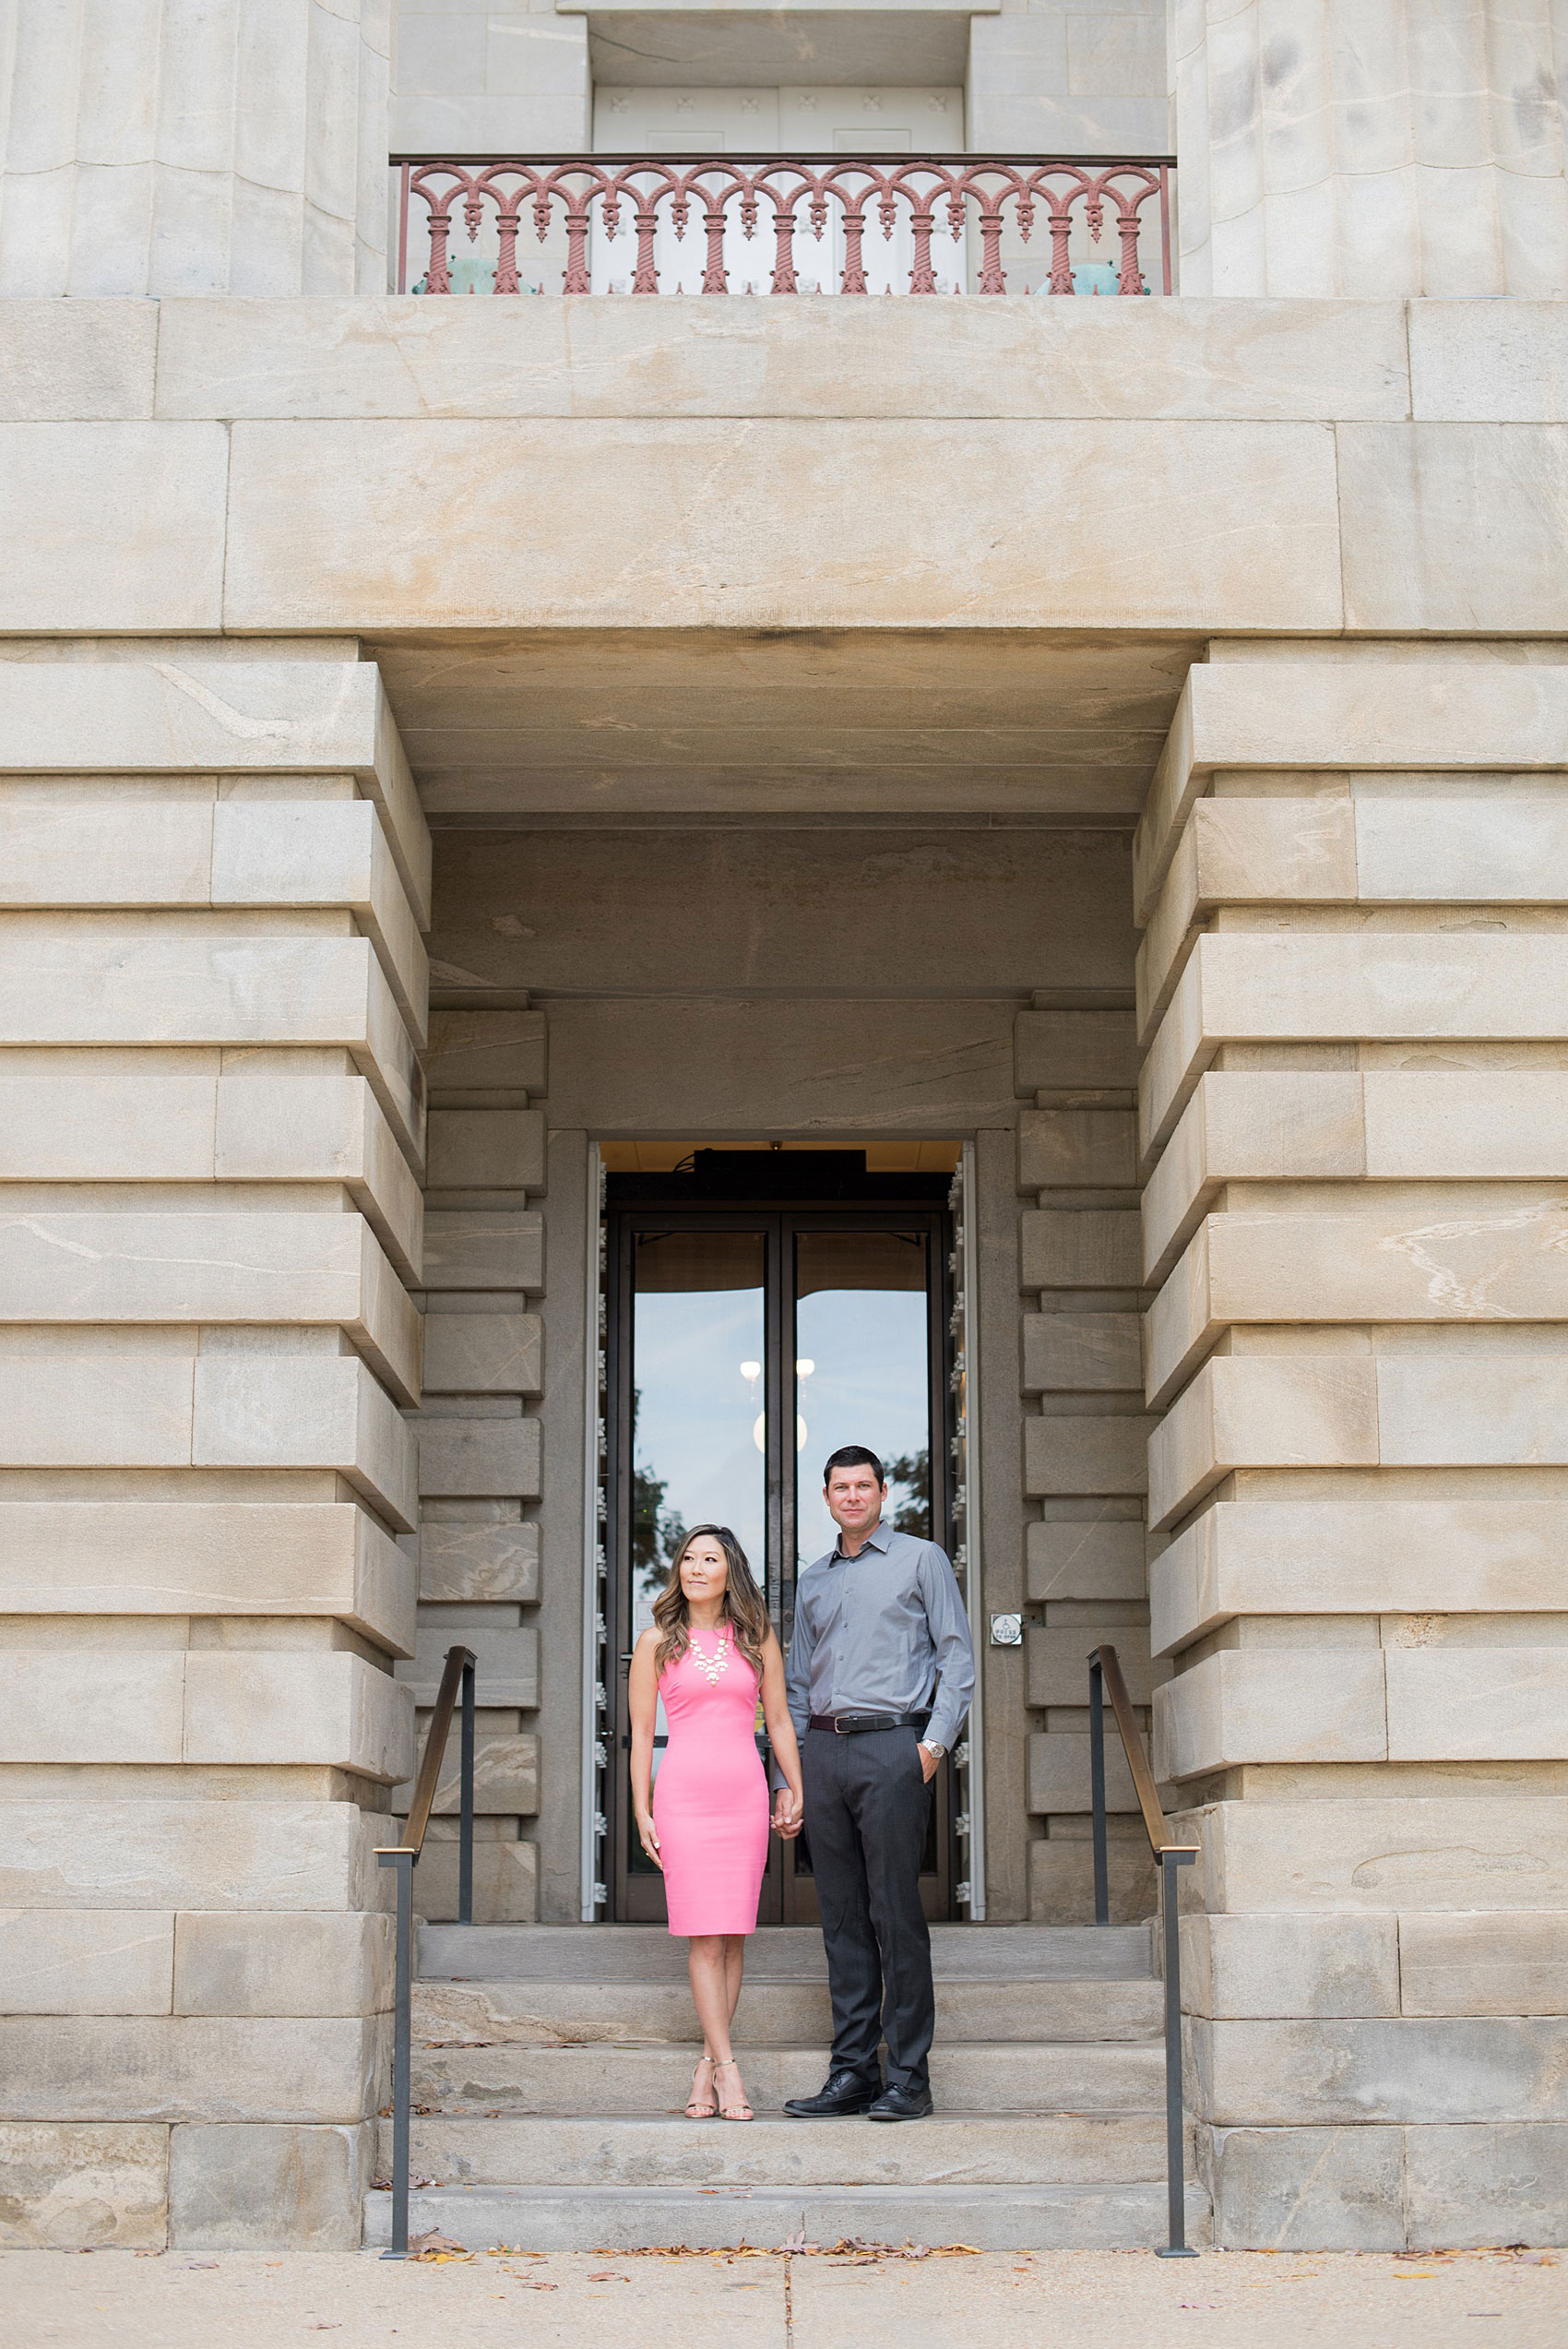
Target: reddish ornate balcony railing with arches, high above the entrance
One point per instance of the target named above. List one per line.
(766, 224)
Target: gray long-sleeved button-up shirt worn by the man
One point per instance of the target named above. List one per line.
(884, 1631)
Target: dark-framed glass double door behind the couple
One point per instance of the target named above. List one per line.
(745, 1347)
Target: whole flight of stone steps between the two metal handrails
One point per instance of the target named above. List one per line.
(550, 2068)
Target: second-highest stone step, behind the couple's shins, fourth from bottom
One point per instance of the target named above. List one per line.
(769, 2014)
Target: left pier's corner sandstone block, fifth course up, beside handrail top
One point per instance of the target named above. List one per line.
(334, 1711)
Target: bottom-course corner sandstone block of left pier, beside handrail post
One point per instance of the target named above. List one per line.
(264, 2188)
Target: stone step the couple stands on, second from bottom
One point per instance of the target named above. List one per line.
(654, 2151)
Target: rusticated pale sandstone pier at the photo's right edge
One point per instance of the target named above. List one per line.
(1353, 877)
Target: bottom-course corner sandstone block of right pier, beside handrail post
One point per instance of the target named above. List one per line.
(1309, 2188)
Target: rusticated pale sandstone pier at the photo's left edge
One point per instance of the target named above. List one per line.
(212, 985)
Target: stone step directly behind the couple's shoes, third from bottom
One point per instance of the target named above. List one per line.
(626, 2080)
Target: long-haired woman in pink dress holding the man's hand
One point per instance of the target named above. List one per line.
(710, 1653)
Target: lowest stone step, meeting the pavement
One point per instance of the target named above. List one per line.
(635, 2219)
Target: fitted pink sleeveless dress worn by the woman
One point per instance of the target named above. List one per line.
(710, 1796)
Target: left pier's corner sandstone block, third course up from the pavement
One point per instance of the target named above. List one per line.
(283, 1963)
